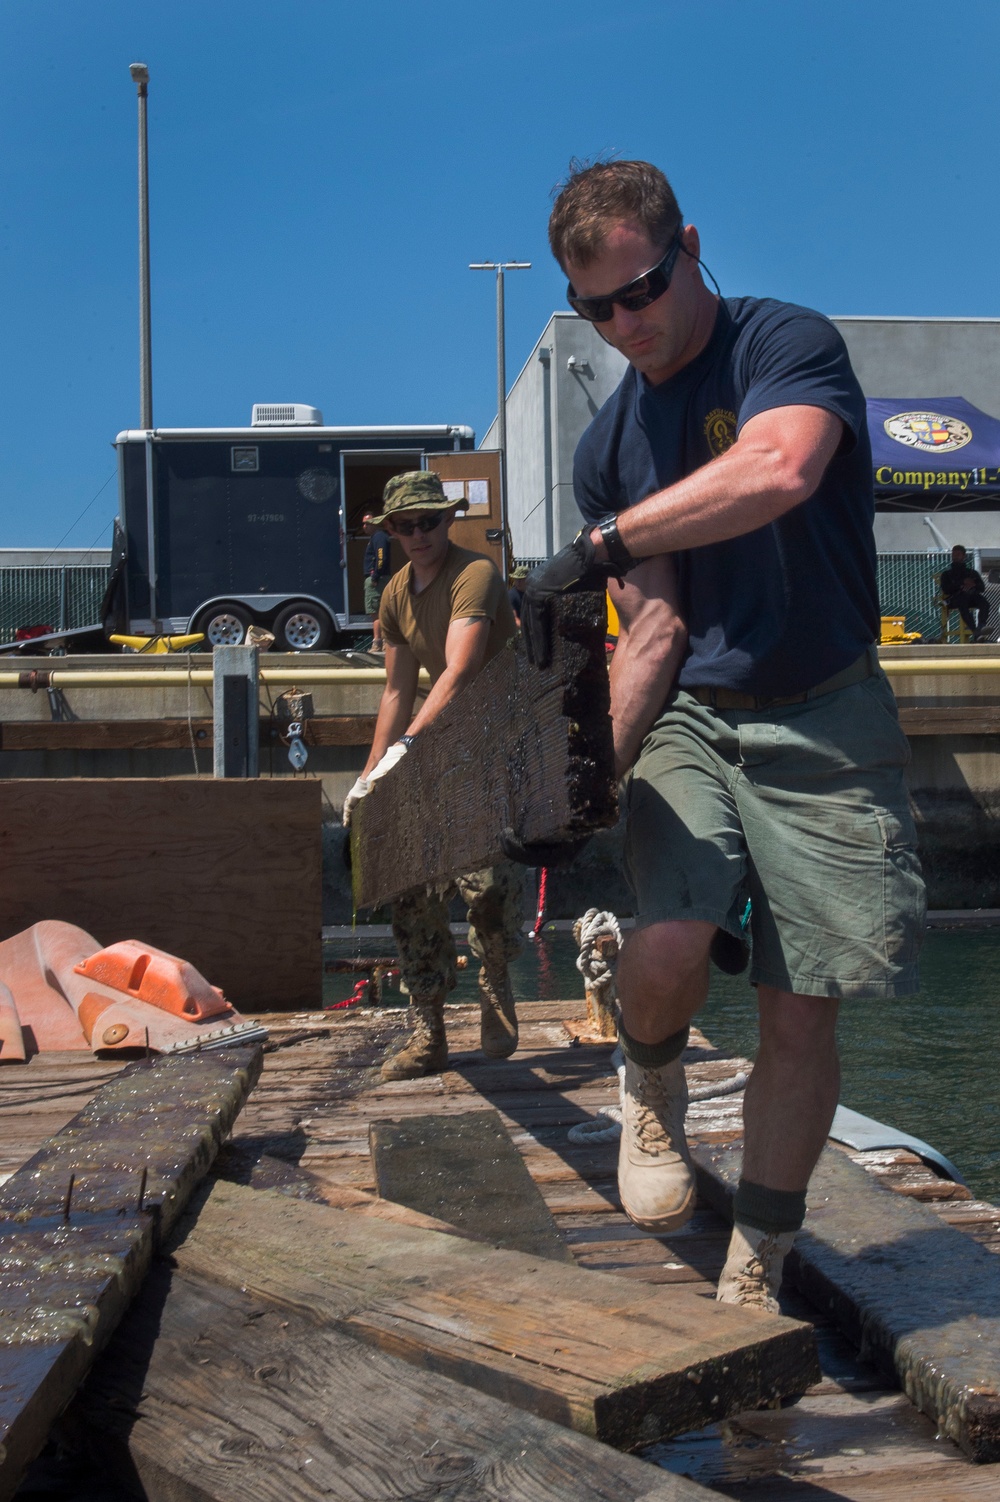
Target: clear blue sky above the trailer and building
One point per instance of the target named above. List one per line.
(322, 173)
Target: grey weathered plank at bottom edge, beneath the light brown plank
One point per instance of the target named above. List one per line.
(211, 1395)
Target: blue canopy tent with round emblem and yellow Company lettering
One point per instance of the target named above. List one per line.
(939, 454)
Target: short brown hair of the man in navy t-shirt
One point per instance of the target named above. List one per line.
(598, 196)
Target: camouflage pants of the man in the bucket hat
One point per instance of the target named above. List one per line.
(427, 950)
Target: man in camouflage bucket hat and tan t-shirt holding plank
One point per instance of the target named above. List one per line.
(448, 612)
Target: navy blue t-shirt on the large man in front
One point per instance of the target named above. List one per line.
(786, 606)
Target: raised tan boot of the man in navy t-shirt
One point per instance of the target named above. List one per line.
(655, 1178)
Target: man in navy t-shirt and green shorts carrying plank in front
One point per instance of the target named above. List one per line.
(727, 484)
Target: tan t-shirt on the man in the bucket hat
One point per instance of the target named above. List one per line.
(468, 588)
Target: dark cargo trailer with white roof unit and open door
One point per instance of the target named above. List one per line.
(224, 528)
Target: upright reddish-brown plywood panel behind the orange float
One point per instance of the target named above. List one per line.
(223, 872)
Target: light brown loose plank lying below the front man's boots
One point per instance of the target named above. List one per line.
(600, 1354)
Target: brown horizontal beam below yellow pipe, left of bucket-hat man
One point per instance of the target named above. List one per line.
(169, 735)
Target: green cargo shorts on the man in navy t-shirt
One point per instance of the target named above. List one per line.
(804, 810)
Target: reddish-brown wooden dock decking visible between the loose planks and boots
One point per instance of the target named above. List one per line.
(849, 1438)
